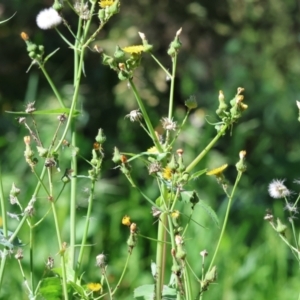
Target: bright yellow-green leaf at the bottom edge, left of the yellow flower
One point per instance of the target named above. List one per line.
(51, 288)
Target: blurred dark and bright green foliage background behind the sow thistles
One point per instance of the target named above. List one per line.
(226, 44)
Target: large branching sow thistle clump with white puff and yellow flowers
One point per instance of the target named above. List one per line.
(165, 163)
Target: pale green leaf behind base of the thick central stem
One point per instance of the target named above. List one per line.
(147, 292)
